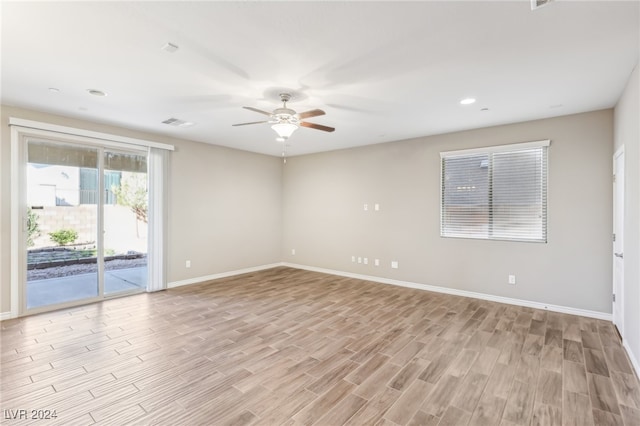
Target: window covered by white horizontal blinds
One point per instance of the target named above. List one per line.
(497, 193)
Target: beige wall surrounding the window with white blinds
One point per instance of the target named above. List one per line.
(325, 223)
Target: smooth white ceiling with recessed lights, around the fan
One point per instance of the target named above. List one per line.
(382, 71)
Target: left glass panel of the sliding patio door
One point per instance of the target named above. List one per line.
(62, 224)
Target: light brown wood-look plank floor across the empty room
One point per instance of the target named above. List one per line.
(286, 346)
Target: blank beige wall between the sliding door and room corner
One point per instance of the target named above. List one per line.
(225, 210)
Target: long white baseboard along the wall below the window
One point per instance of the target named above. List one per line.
(500, 299)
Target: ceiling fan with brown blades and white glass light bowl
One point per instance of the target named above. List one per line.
(285, 121)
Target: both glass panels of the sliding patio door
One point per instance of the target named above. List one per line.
(86, 223)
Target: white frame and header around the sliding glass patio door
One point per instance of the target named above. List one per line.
(21, 132)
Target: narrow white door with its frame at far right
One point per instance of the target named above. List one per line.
(617, 309)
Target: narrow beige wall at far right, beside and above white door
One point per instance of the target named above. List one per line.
(627, 134)
